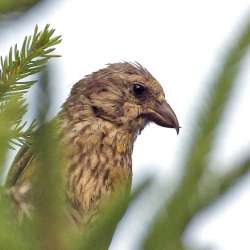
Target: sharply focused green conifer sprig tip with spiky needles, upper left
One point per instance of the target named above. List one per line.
(33, 56)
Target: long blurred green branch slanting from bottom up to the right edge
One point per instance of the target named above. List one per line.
(175, 214)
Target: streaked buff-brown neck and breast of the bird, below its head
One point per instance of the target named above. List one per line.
(98, 156)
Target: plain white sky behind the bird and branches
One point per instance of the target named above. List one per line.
(181, 43)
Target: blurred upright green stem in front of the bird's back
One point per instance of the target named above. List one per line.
(50, 219)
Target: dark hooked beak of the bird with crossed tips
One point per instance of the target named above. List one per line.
(163, 115)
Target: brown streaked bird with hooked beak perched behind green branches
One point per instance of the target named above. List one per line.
(99, 123)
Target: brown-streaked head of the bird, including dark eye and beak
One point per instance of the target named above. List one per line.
(125, 94)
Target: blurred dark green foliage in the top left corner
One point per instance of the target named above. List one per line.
(10, 6)
